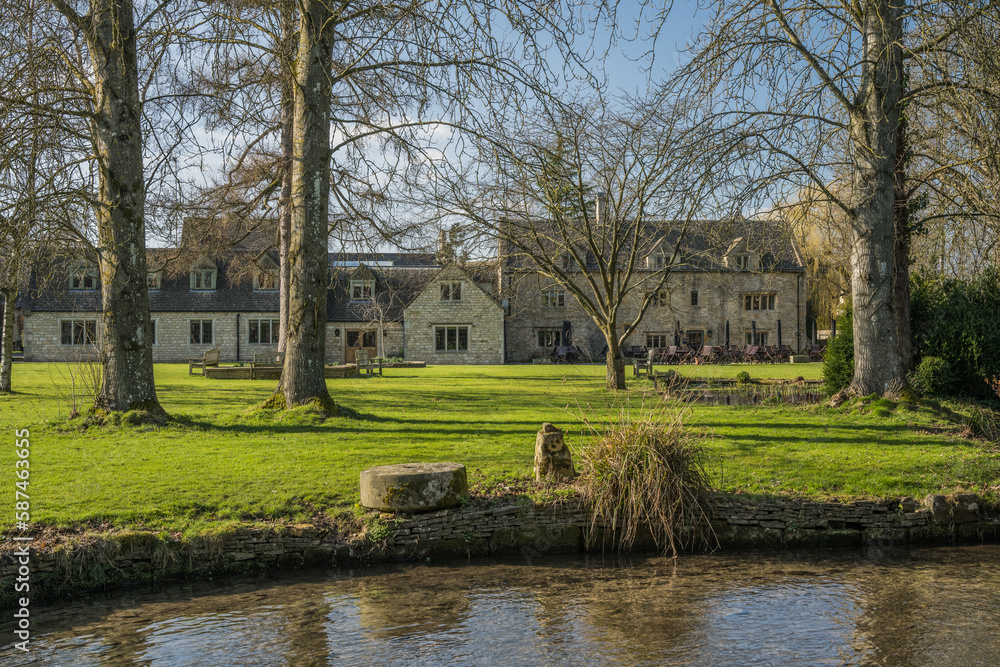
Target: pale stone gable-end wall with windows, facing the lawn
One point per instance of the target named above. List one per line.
(477, 312)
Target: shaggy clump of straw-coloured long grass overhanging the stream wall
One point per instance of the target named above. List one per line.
(648, 474)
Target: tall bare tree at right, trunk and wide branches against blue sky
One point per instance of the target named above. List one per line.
(806, 91)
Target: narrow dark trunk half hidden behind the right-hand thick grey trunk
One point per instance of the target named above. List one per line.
(901, 250)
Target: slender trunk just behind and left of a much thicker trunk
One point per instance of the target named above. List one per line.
(286, 64)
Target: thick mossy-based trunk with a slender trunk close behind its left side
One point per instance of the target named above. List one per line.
(303, 379)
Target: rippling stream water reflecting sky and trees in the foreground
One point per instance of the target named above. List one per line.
(919, 607)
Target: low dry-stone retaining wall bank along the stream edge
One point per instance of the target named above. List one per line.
(67, 565)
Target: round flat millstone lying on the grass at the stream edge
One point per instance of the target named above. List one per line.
(414, 487)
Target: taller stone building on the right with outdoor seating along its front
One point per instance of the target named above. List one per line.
(747, 275)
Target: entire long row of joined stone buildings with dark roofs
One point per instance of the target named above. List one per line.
(425, 307)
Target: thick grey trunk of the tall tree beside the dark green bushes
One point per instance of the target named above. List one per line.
(874, 123)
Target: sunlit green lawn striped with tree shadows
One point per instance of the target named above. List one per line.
(215, 462)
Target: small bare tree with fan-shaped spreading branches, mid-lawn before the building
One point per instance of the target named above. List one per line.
(655, 175)
